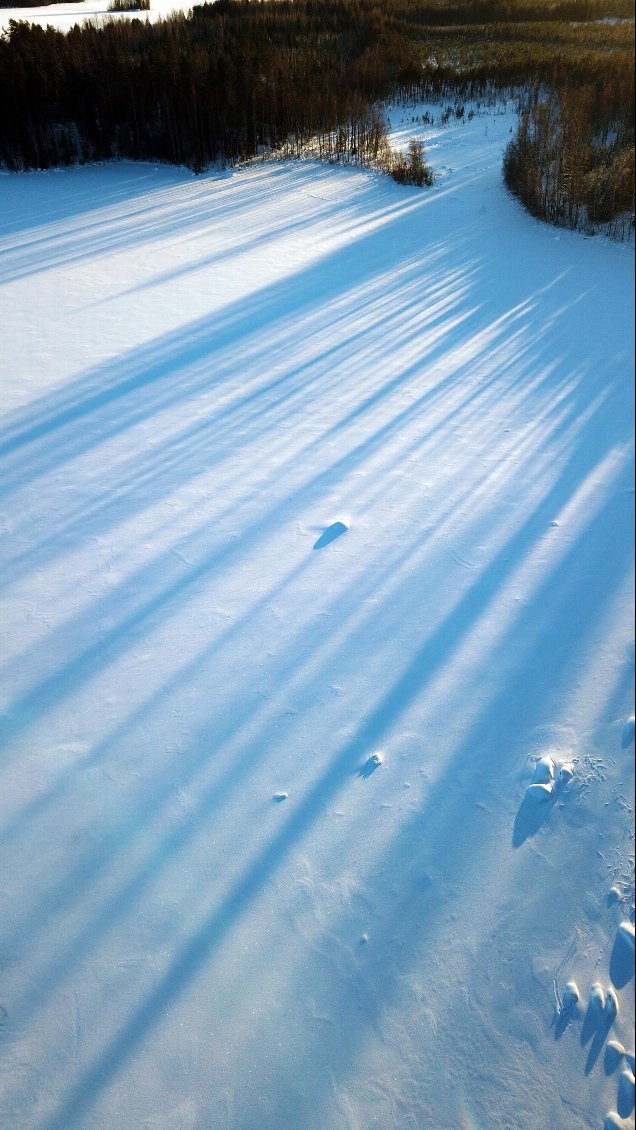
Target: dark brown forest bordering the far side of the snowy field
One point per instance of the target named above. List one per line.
(241, 79)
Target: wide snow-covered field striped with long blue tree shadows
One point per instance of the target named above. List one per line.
(317, 509)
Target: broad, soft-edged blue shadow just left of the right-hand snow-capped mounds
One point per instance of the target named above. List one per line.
(433, 846)
